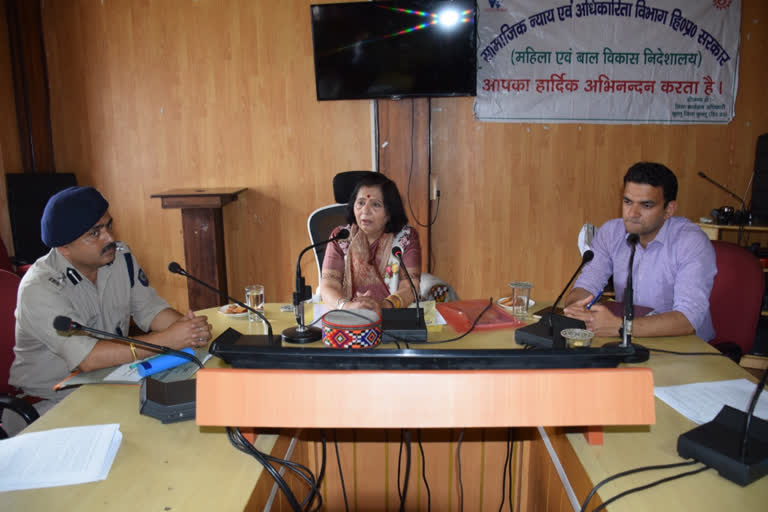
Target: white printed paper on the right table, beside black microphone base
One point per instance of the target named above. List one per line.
(702, 401)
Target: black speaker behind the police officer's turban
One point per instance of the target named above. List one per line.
(28, 194)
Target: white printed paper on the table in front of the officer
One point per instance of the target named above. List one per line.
(62, 456)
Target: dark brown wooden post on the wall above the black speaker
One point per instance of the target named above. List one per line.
(30, 82)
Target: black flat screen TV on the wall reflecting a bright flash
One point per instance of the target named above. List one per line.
(396, 49)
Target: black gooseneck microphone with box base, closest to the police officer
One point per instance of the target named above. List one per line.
(168, 402)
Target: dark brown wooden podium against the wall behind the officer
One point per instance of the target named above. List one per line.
(203, 229)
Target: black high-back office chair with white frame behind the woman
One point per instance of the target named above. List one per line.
(323, 220)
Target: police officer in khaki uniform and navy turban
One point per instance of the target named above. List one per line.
(97, 282)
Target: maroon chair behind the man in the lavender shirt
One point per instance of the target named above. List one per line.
(736, 297)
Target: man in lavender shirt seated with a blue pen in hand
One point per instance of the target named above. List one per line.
(673, 269)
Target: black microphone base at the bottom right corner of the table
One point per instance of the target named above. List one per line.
(718, 444)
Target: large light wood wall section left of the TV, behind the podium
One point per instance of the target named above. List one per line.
(149, 96)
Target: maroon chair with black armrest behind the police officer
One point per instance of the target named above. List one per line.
(9, 287)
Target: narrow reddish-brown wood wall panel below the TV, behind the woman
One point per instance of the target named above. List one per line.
(404, 157)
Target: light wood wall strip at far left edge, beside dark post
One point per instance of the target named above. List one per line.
(10, 153)
